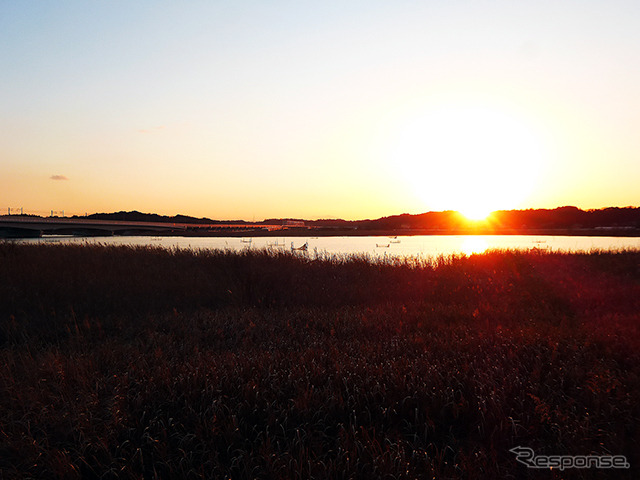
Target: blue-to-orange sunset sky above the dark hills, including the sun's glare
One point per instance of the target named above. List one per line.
(350, 109)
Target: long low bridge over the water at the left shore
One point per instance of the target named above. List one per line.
(22, 226)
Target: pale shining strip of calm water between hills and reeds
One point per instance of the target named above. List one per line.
(418, 246)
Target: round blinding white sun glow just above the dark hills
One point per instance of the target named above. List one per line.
(471, 159)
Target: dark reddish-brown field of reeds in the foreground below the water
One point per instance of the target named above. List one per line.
(146, 363)
